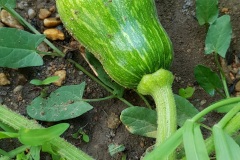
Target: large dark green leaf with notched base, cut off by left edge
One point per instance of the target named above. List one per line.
(18, 48)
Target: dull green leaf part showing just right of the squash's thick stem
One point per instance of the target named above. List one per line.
(185, 110)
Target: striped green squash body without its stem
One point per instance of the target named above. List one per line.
(124, 35)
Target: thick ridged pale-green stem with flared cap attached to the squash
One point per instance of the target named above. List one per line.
(159, 86)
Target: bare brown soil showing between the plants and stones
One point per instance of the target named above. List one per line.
(178, 18)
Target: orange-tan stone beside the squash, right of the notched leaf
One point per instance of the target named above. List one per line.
(54, 34)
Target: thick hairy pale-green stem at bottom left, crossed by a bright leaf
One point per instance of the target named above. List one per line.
(65, 149)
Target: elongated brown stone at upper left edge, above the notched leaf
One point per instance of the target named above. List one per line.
(9, 20)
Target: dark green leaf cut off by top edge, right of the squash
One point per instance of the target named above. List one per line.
(206, 11)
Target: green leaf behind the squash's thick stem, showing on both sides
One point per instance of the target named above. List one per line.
(143, 121)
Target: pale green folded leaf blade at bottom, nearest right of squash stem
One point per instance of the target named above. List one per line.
(193, 141)
